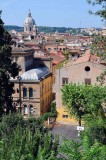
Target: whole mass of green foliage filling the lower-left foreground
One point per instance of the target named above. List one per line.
(26, 140)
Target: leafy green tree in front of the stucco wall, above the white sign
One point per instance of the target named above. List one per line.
(83, 99)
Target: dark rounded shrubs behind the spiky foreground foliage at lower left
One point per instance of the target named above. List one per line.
(10, 122)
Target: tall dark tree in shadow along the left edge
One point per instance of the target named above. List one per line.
(7, 69)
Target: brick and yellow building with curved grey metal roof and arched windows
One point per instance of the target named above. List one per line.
(33, 86)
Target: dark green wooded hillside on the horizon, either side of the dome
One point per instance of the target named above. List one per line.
(45, 29)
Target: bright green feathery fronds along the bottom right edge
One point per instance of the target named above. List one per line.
(71, 150)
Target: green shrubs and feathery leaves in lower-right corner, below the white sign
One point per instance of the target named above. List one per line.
(92, 143)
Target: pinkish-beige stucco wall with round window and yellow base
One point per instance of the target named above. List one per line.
(75, 74)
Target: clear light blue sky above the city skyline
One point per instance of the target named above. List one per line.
(54, 13)
